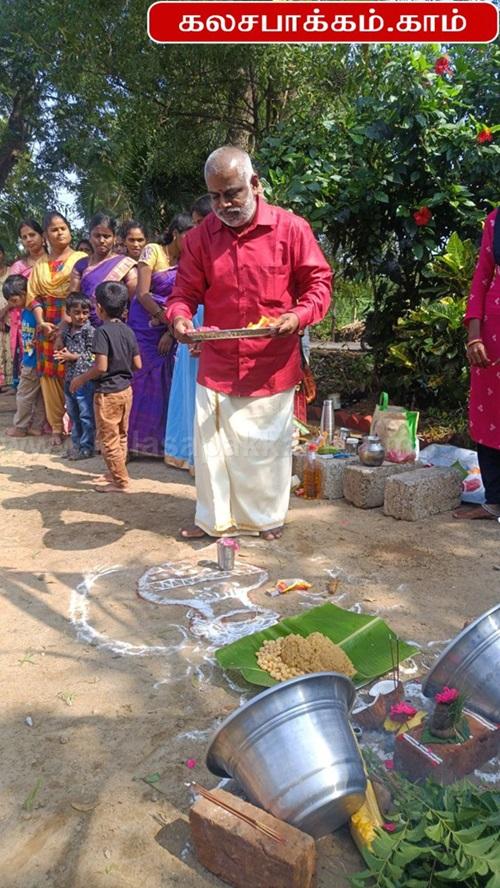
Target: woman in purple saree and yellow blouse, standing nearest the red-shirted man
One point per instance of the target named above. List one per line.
(151, 385)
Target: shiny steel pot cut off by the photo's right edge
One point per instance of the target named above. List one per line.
(471, 663)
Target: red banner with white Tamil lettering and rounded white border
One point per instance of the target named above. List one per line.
(326, 22)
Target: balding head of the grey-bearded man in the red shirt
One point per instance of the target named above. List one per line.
(232, 185)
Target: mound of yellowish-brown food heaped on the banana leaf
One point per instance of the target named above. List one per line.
(295, 655)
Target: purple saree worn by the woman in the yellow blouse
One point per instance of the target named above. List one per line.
(151, 385)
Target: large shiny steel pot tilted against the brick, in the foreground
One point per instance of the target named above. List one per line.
(293, 751)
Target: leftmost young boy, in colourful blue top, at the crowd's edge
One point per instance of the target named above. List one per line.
(30, 412)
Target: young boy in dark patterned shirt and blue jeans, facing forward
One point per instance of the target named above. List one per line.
(77, 354)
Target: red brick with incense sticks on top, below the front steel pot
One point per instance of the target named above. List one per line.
(242, 855)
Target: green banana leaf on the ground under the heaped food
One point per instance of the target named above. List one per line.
(365, 639)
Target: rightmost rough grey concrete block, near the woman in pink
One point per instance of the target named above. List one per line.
(426, 492)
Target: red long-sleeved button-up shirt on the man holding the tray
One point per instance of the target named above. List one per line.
(272, 266)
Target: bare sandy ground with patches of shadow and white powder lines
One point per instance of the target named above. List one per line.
(119, 688)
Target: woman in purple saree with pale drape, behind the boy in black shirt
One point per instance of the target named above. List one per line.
(103, 264)
